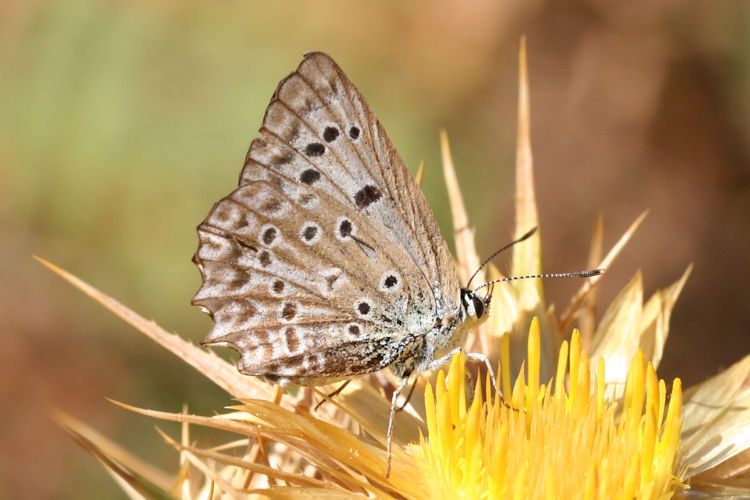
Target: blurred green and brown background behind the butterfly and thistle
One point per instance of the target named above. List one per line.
(122, 122)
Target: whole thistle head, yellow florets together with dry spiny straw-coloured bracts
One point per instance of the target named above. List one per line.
(566, 431)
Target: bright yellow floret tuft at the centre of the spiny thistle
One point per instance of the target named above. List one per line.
(549, 442)
